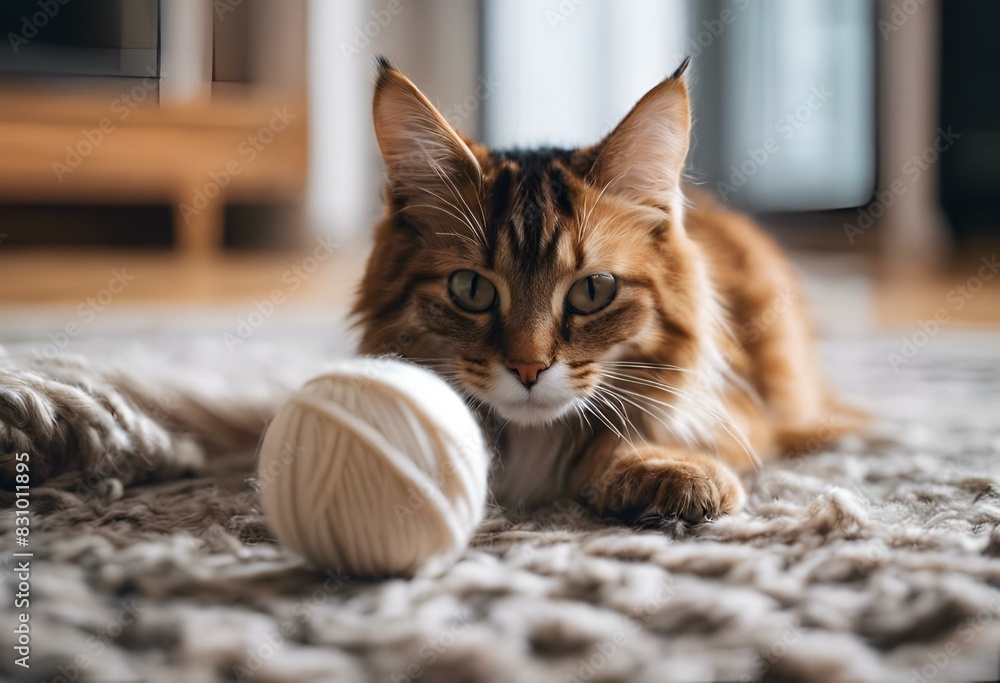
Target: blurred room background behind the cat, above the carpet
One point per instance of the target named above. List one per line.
(186, 162)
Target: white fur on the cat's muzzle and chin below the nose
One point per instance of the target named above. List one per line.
(549, 399)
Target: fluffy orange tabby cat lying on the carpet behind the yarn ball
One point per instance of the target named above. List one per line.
(628, 342)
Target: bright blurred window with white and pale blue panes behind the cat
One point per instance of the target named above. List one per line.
(783, 90)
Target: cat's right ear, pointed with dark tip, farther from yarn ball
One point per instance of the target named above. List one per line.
(643, 157)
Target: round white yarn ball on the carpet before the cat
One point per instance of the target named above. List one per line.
(377, 468)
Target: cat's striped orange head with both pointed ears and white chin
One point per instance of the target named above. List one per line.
(521, 276)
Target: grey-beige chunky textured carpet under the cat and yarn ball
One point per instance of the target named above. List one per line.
(876, 560)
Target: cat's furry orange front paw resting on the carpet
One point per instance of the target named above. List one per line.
(653, 485)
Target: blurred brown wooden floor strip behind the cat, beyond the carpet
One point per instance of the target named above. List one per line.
(967, 294)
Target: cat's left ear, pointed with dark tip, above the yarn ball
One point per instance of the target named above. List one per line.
(420, 148)
